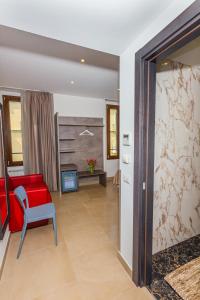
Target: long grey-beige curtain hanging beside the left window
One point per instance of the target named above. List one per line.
(39, 136)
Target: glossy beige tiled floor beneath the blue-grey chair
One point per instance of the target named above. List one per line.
(83, 266)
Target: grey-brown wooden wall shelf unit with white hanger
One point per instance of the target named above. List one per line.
(74, 149)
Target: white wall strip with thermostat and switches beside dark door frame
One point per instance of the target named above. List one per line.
(127, 67)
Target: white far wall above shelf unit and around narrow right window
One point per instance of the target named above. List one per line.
(76, 106)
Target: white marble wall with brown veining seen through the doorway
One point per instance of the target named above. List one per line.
(177, 156)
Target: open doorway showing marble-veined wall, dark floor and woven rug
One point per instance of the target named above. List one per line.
(176, 215)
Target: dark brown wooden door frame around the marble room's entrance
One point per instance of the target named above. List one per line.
(182, 30)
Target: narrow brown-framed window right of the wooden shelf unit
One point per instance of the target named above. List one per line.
(112, 131)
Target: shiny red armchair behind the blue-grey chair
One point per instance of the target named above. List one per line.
(38, 194)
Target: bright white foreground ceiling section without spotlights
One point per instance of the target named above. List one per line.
(105, 25)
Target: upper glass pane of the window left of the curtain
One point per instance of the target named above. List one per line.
(15, 115)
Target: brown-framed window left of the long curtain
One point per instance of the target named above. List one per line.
(13, 130)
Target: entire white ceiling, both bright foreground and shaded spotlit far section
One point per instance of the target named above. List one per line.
(42, 42)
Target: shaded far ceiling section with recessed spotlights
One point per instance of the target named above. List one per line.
(29, 61)
